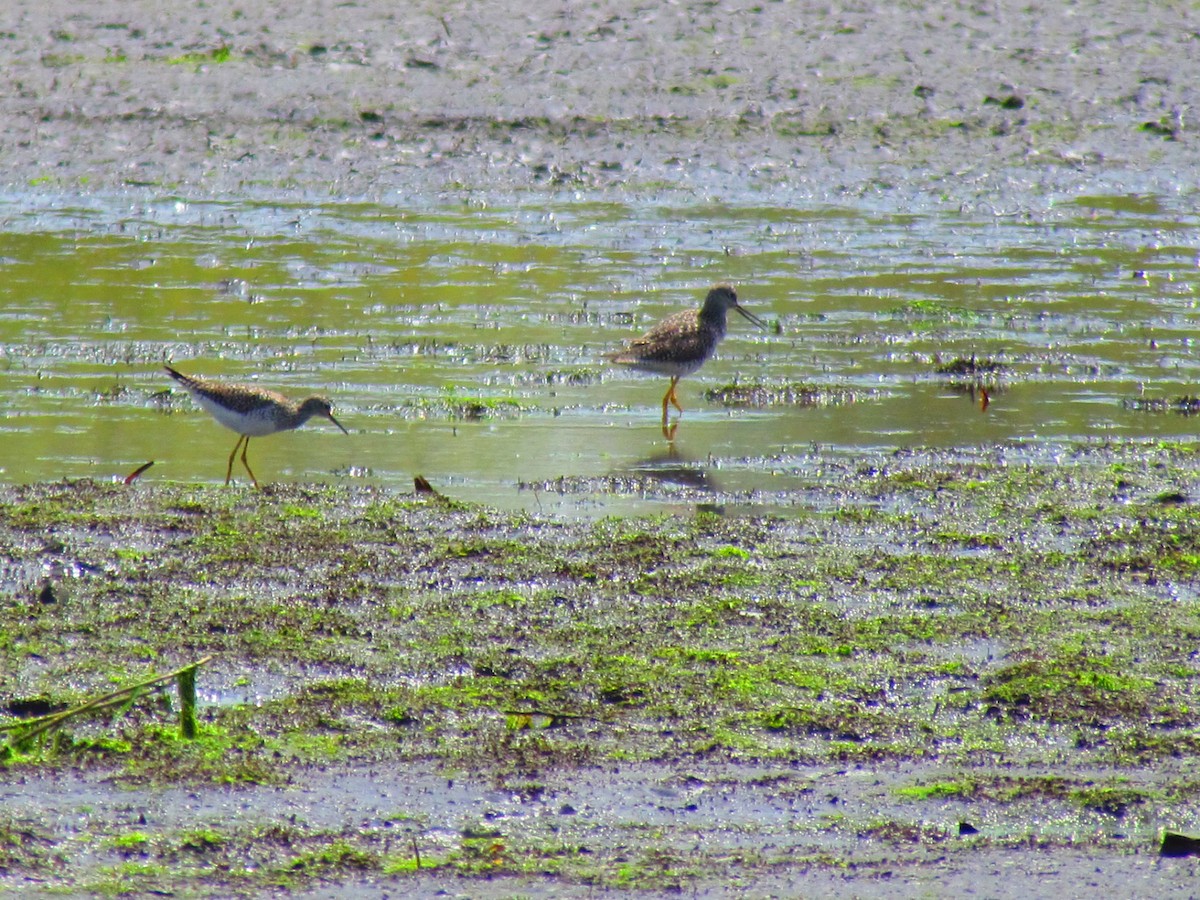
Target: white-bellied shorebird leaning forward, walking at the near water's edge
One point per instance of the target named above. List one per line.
(251, 412)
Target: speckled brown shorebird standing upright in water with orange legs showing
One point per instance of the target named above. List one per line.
(683, 343)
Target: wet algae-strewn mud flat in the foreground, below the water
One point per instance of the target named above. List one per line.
(973, 671)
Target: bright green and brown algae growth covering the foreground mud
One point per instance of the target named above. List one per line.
(356, 627)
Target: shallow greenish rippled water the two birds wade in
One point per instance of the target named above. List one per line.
(463, 340)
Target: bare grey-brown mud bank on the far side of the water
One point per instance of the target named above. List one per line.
(993, 104)
